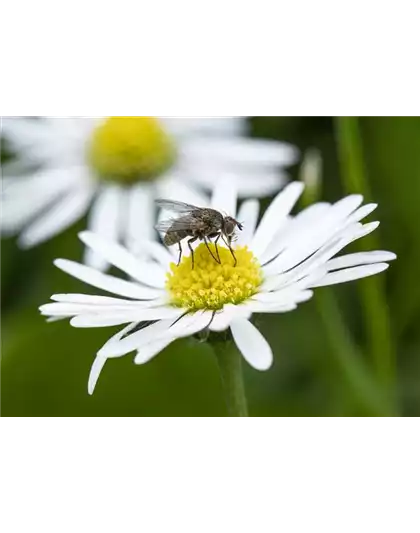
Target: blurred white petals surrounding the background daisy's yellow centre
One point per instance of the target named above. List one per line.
(211, 144)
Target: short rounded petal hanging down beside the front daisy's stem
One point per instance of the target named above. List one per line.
(252, 344)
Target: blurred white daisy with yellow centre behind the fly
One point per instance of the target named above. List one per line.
(114, 166)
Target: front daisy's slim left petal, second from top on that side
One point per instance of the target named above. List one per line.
(105, 282)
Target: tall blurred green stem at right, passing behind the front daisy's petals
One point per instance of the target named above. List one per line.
(372, 290)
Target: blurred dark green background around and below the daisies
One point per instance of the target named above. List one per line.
(352, 352)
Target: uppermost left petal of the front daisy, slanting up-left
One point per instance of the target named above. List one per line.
(152, 275)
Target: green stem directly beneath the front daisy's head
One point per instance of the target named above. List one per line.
(230, 366)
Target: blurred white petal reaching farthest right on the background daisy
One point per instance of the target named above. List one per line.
(241, 150)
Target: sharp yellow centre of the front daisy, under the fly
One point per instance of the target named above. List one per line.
(210, 285)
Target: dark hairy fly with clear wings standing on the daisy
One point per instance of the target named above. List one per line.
(199, 223)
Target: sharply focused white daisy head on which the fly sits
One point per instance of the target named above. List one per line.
(279, 263)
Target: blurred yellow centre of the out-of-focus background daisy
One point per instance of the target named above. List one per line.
(130, 149)
